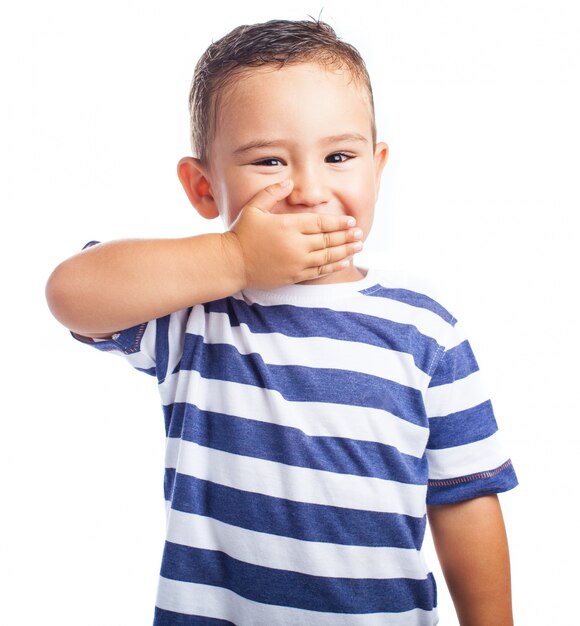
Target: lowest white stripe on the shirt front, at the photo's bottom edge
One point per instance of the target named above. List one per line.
(219, 603)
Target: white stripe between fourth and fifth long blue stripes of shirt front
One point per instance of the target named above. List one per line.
(289, 554)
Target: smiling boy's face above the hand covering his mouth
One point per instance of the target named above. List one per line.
(301, 122)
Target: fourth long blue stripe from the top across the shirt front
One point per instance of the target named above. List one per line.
(276, 516)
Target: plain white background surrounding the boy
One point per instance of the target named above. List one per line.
(479, 103)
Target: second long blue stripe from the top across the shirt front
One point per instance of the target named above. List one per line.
(303, 384)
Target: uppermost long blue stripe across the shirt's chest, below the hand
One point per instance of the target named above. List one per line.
(295, 321)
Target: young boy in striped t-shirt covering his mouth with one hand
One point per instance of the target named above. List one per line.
(315, 414)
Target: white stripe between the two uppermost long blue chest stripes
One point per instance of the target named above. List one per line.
(318, 352)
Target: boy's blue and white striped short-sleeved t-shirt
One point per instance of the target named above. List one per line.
(307, 429)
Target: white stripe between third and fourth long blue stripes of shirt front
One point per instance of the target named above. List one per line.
(297, 484)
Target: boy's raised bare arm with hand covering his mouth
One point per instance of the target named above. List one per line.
(117, 285)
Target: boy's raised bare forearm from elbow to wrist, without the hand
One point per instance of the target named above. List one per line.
(116, 285)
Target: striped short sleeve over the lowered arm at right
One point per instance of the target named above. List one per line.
(464, 451)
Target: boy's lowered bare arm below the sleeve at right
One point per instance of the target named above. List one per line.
(471, 544)
